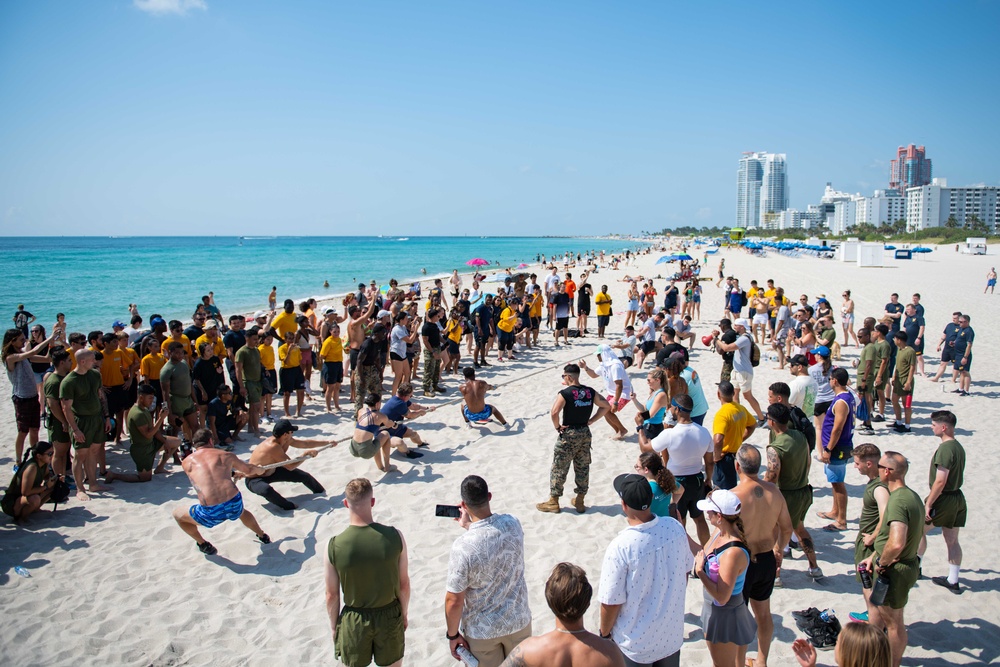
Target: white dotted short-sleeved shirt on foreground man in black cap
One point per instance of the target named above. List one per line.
(645, 570)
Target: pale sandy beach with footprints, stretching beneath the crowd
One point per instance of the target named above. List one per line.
(114, 581)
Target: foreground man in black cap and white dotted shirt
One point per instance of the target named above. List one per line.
(643, 579)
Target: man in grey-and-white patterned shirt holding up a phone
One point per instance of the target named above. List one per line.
(486, 603)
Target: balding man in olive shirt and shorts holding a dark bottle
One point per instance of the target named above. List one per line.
(895, 554)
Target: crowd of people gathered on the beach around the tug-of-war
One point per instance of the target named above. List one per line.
(164, 389)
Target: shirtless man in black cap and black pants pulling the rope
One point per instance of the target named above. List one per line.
(275, 450)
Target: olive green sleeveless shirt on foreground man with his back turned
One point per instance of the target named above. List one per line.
(367, 560)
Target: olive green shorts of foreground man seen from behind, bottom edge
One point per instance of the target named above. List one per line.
(370, 635)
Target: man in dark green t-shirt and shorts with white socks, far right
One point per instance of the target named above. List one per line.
(945, 505)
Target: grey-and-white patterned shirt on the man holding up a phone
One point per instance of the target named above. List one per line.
(487, 564)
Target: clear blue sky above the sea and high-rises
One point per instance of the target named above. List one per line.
(237, 117)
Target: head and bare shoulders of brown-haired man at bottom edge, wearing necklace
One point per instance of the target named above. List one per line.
(568, 594)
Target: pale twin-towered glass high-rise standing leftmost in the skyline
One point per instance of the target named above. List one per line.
(761, 187)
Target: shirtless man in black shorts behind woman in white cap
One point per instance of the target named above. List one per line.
(767, 527)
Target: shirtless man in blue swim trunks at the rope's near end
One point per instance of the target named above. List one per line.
(211, 473)
